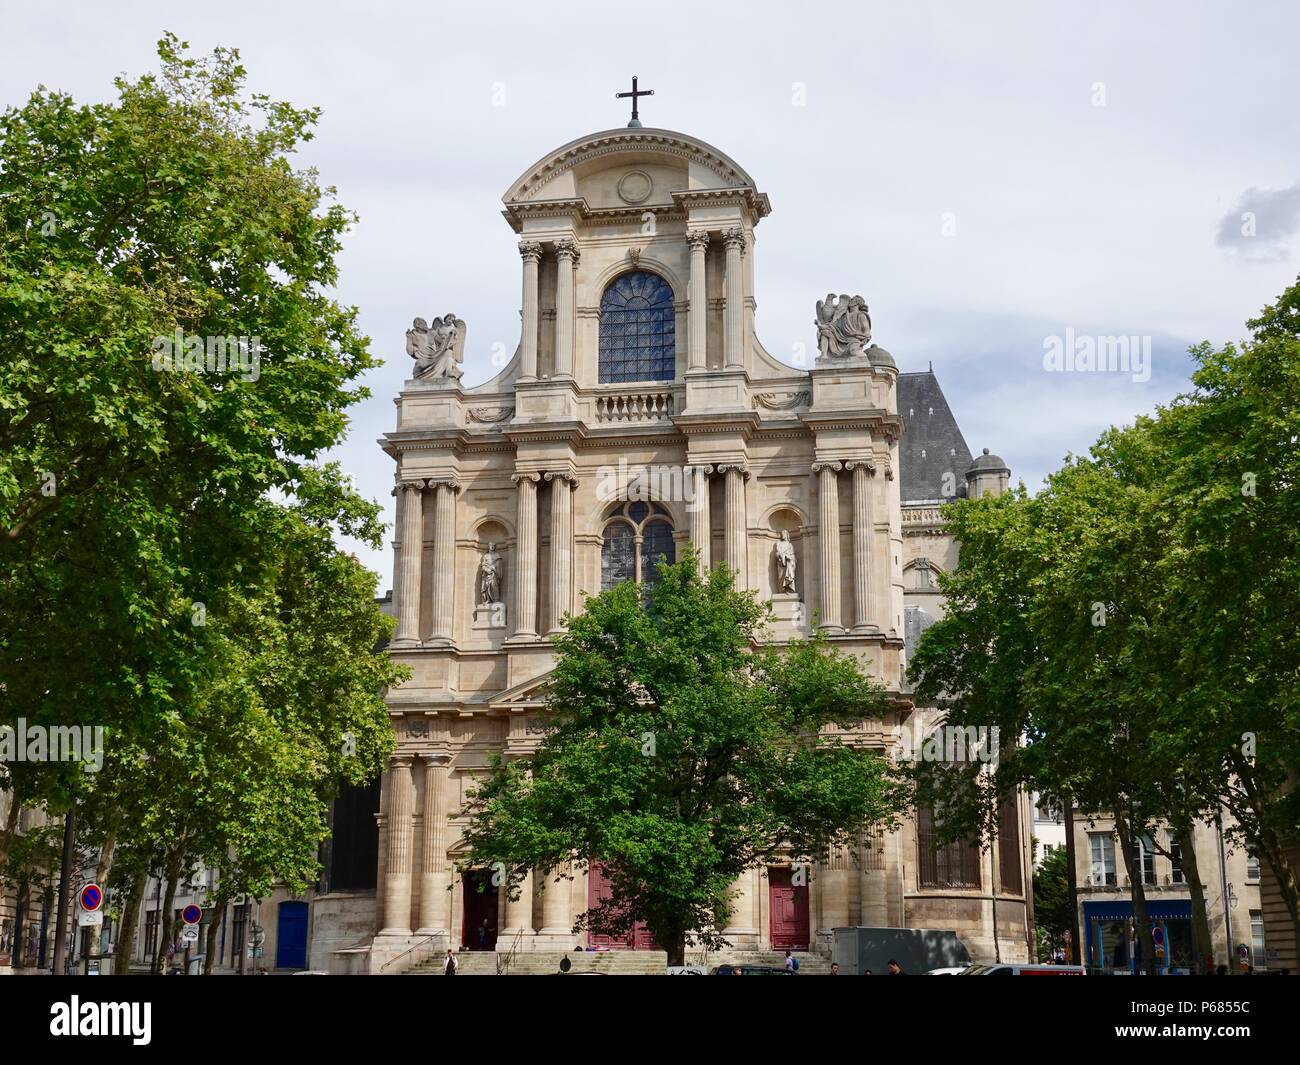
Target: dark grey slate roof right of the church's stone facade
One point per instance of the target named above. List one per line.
(933, 444)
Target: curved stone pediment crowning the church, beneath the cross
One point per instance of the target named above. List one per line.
(682, 163)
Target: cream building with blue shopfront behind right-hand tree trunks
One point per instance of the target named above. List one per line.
(1232, 884)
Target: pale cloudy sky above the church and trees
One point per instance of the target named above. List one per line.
(987, 176)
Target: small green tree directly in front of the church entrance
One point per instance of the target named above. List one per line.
(683, 754)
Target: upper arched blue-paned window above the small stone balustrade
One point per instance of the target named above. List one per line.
(638, 340)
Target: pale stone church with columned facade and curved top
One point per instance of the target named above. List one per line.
(639, 414)
